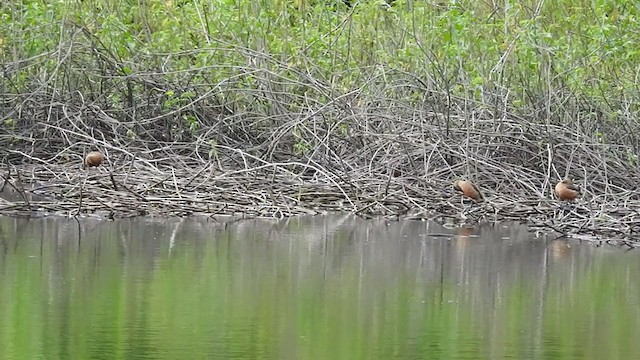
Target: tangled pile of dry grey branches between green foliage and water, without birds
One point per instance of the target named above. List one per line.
(399, 176)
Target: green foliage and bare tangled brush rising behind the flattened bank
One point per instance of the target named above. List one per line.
(514, 94)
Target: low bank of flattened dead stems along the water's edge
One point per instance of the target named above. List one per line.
(130, 187)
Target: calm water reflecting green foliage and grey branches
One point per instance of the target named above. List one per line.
(310, 288)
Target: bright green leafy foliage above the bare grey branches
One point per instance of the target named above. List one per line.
(467, 48)
